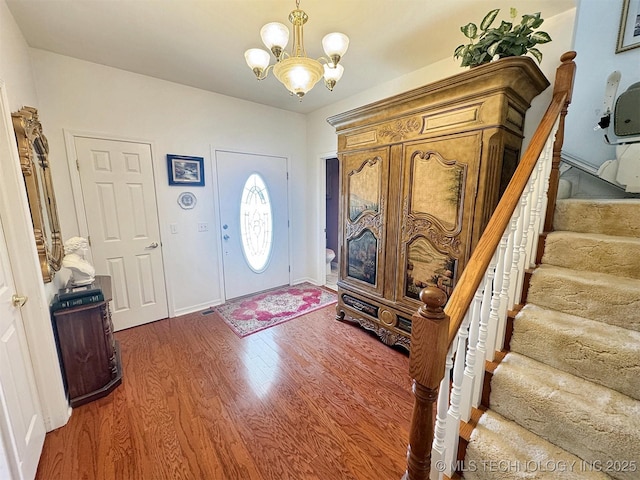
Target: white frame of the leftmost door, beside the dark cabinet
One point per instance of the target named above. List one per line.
(14, 210)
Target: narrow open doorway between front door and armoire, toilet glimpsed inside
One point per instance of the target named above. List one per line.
(332, 175)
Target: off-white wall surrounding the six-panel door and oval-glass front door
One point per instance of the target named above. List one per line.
(77, 95)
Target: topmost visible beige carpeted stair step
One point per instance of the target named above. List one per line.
(610, 217)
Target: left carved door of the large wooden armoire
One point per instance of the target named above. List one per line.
(365, 197)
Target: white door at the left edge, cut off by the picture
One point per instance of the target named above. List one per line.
(21, 422)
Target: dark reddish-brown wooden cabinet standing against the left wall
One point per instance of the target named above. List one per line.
(89, 354)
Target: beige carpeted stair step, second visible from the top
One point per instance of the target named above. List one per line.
(594, 252)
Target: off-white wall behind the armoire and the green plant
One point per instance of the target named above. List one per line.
(323, 139)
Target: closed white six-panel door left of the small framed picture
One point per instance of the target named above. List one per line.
(119, 196)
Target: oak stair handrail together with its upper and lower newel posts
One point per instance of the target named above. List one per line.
(434, 329)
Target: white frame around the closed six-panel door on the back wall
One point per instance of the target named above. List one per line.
(78, 200)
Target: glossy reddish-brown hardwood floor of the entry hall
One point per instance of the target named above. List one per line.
(312, 398)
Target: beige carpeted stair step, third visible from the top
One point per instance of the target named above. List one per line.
(602, 297)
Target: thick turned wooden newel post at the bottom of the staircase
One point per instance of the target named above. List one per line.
(429, 346)
